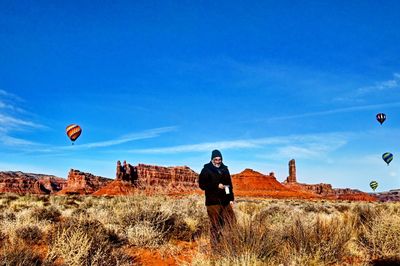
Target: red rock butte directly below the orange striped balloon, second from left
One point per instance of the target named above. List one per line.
(83, 183)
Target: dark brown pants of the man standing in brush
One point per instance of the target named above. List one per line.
(221, 217)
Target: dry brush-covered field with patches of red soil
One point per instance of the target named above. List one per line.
(162, 230)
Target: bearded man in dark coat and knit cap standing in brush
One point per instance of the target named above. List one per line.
(215, 180)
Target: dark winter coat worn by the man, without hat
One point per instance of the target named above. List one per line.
(209, 179)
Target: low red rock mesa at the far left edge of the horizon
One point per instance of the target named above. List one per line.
(28, 183)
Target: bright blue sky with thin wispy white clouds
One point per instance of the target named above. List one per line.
(166, 82)
